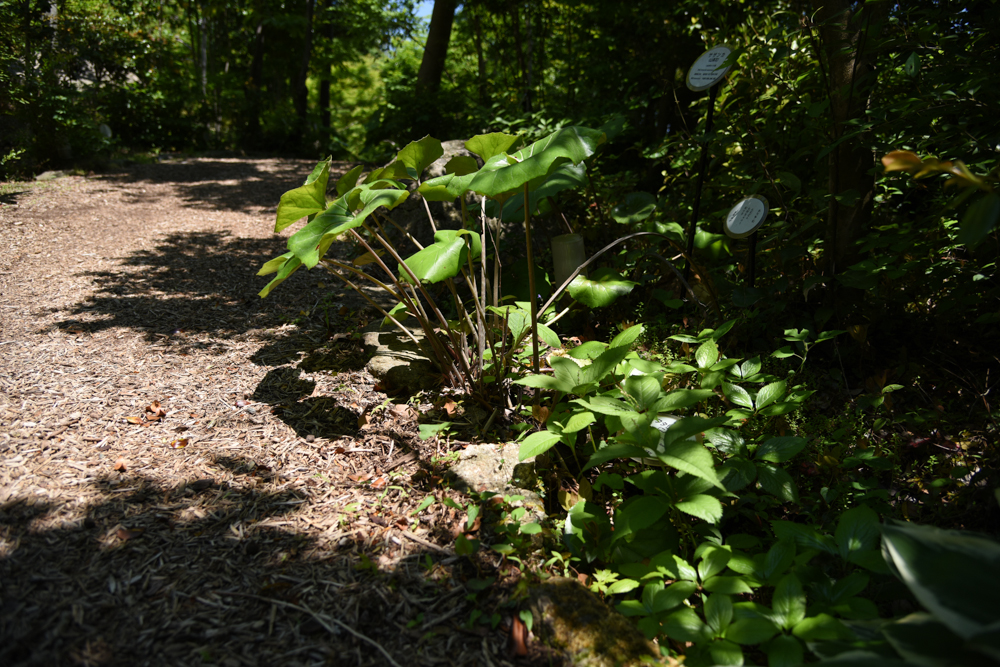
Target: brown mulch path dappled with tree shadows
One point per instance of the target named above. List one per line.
(190, 474)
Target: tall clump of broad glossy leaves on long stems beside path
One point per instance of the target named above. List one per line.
(480, 343)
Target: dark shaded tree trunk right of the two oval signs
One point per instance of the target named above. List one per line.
(849, 36)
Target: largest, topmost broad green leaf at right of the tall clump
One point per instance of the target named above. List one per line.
(574, 144)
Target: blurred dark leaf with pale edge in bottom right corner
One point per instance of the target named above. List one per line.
(955, 575)
